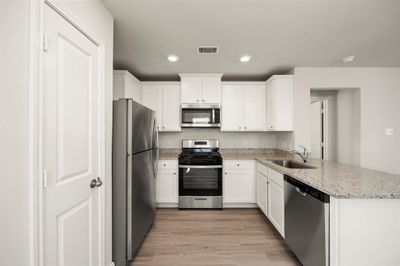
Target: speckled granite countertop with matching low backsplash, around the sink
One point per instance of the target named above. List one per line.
(336, 180)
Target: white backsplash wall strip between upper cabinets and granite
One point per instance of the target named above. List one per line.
(226, 139)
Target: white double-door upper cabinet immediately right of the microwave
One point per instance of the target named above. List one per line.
(243, 106)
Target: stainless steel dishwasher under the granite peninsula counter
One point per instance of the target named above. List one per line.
(307, 222)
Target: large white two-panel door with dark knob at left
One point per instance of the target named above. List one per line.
(71, 146)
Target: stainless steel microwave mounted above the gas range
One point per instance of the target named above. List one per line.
(201, 115)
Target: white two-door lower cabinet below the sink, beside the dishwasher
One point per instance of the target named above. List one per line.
(270, 196)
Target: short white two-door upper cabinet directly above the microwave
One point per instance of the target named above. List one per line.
(201, 88)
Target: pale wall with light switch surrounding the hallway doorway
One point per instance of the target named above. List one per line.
(379, 109)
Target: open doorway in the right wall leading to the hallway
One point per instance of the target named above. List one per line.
(336, 125)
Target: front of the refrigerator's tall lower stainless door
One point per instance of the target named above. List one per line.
(143, 198)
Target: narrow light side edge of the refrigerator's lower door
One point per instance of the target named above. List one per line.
(129, 207)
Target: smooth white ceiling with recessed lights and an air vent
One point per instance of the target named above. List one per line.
(278, 34)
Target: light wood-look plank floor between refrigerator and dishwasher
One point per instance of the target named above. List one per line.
(231, 237)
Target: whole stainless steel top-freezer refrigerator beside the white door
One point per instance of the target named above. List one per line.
(134, 168)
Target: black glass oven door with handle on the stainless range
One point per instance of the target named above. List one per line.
(200, 180)
